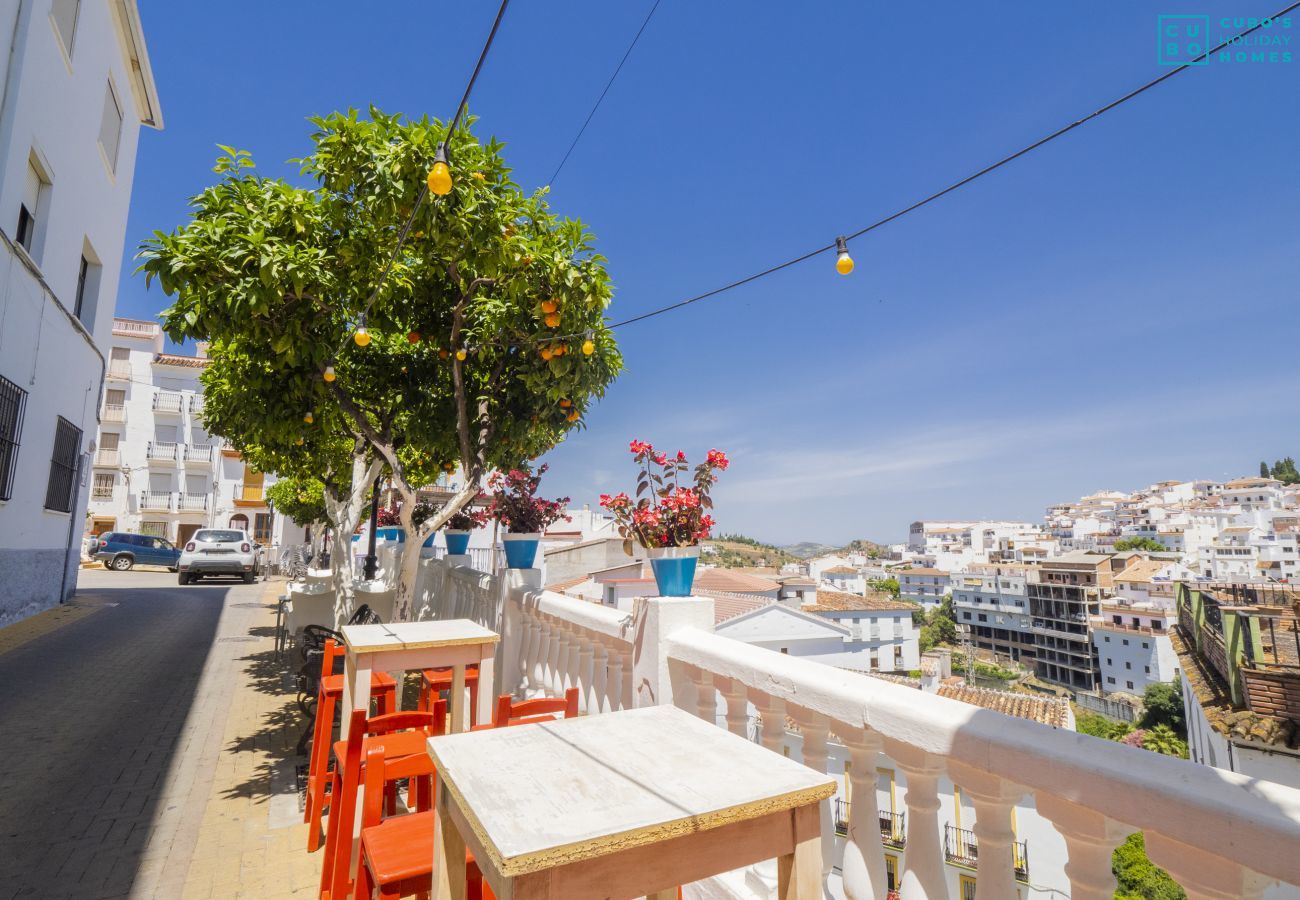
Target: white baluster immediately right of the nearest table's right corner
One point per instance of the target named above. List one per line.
(864, 866)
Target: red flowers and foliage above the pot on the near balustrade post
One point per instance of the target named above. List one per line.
(666, 513)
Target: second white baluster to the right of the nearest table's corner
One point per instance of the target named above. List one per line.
(924, 873)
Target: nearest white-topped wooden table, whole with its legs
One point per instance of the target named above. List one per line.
(621, 806)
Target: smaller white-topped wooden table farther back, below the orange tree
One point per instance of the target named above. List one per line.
(401, 647)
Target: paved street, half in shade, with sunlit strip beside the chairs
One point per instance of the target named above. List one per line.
(149, 741)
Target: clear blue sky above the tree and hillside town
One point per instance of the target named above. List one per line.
(1116, 309)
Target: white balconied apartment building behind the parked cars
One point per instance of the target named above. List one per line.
(157, 470)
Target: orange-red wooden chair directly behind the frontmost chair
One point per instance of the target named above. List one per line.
(398, 735)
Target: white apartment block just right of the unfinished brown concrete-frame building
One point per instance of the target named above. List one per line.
(1133, 648)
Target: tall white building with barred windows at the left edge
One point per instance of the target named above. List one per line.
(76, 88)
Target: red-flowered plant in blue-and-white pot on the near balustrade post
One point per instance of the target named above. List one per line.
(668, 520)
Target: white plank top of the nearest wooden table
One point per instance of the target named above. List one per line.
(545, 795)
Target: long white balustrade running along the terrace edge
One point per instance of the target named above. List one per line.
(1217, 833)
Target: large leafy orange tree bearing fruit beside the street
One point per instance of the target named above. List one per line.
(479, 341)
